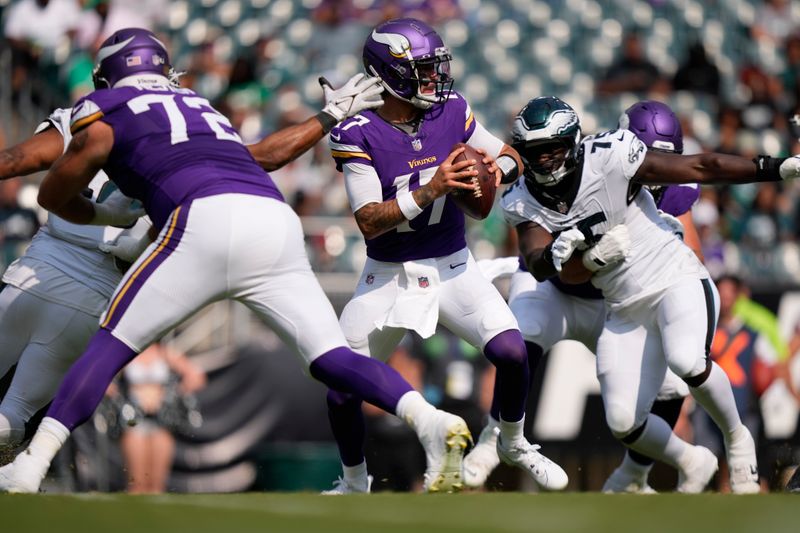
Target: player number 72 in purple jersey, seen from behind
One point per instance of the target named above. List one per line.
(215, 207)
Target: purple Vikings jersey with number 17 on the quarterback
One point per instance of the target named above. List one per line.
(406, 162)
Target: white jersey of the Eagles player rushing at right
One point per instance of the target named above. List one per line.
(605, 198)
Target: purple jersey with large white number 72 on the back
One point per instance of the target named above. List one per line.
(170, 147)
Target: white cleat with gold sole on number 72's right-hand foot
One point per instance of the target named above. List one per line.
(444, 437)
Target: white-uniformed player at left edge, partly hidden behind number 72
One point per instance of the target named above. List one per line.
(56, 292)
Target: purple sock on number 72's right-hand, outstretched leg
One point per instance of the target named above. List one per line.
(344, 370)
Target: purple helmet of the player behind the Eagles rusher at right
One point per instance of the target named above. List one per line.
(655, 124)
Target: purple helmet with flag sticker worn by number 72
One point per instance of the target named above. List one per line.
(129, 52)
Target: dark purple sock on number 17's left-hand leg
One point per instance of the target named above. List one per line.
(347, 424)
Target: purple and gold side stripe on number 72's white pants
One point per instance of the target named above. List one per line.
(127, 293)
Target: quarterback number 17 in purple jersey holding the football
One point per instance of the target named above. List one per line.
(398, 169)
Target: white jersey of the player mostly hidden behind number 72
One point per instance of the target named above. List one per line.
(62, 248)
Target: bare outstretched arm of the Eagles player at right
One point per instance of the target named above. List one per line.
(665, 169)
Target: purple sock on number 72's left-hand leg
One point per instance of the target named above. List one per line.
(86, 382)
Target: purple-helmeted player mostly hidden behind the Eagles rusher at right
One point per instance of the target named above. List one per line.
(551, 310)
